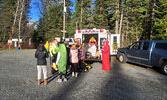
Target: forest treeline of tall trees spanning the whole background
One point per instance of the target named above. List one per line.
(133, 19)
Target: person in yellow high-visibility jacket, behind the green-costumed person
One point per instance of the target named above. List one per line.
(53, 55)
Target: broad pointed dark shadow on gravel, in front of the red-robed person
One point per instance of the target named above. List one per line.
(119, 86)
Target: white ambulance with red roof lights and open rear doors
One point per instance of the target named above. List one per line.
(99, 34)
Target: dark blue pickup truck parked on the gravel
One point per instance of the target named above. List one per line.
(149, 53)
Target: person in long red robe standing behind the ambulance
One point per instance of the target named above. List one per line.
(106, 57)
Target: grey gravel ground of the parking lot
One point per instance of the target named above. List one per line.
(18, 81)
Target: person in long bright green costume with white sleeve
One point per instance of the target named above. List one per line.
(62, 62)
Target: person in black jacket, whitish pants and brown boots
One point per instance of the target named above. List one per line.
(41, 55)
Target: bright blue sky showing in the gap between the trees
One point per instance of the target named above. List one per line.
(35, 10)
